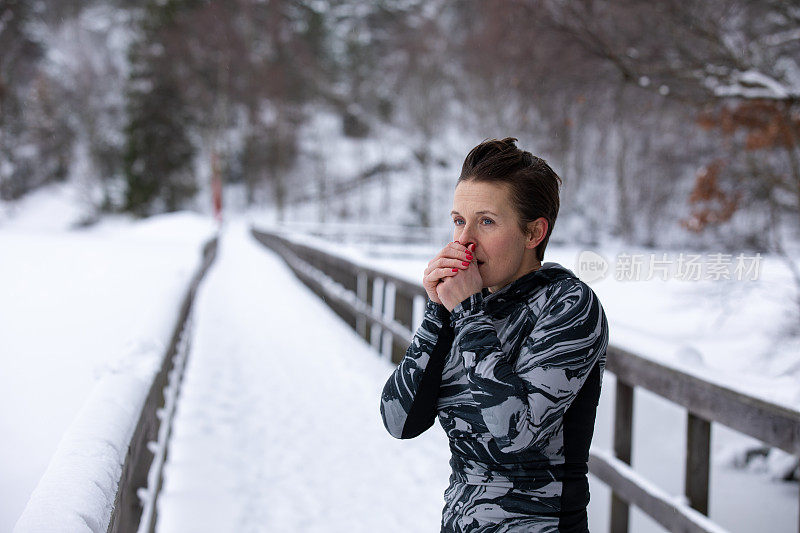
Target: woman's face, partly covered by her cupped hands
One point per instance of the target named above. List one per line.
(483, 214)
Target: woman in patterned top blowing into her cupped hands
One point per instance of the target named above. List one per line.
(510, 355)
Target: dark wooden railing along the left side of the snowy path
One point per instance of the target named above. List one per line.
(127, 513)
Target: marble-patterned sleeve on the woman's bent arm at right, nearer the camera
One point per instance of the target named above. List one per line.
(525, 408)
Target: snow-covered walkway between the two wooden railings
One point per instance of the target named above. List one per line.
(278, 425)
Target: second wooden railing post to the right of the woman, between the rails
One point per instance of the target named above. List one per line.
(698, 439)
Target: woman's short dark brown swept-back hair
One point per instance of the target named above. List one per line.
(533, 184)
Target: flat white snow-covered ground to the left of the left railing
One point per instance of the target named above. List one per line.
(78, 307)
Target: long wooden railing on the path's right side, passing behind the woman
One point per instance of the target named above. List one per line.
(386, 310)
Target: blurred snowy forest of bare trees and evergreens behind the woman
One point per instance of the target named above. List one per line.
(672, 123)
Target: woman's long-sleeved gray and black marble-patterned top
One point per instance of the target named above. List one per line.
(514, 378)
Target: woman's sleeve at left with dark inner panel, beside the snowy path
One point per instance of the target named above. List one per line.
(408, 402)
